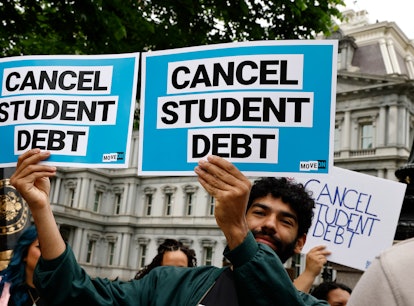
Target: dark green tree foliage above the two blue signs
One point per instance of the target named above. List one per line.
(121, 26)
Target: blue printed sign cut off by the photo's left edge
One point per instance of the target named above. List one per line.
(80, 108)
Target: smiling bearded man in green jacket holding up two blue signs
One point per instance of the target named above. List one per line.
(263, 226)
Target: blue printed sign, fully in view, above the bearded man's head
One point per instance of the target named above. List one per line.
(266, 106)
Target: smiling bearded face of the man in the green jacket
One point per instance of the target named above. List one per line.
(274, 223)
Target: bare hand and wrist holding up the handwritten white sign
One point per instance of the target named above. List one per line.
(315, 260)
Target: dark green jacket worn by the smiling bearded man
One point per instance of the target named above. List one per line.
(260, 279)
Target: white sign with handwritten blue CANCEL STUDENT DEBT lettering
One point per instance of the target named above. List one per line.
(355, 215)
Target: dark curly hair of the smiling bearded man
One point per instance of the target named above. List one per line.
(290, 192)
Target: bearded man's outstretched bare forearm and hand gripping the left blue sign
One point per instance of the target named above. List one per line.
(31, 179)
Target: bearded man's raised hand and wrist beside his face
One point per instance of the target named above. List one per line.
(231, 189)
